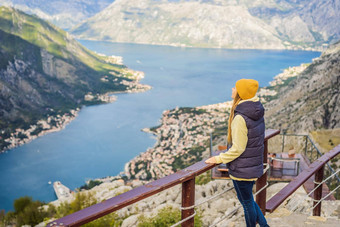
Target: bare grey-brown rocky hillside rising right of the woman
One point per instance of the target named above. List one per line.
(310, 100)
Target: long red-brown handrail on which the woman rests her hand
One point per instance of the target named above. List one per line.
(118, 202)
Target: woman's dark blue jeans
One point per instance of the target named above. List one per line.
(252, 212)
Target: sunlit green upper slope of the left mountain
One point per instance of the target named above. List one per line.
(49, 37)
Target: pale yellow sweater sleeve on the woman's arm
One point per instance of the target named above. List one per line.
(239, 133)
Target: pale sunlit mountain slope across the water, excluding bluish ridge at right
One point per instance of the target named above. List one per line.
(183, 23)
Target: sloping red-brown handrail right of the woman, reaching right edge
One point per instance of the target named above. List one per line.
(289, 189)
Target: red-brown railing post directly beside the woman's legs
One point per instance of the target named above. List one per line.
(261, 182)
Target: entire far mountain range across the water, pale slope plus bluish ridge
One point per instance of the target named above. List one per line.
(259, 24)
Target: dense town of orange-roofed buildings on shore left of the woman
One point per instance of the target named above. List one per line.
(180, 130)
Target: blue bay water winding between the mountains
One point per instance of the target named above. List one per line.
(104, 137)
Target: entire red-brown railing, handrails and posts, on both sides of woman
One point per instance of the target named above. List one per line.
(186, 177)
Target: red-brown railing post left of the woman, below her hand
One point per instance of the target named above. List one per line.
(188, 200)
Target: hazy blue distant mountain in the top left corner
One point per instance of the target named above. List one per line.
(62, 13)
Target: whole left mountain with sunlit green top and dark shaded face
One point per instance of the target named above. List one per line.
(44, 72)
